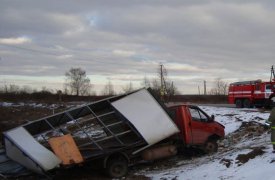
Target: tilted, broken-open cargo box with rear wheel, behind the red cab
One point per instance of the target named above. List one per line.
(112, 131)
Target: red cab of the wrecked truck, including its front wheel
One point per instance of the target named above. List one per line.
(196, 127)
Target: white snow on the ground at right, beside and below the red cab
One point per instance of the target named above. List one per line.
(226, 163)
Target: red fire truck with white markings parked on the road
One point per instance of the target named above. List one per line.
(251, 93)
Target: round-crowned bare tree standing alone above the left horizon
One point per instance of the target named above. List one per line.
(77, 81)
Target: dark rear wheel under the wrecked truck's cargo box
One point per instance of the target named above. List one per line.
(117, 167)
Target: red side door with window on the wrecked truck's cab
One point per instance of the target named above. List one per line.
(200, 125)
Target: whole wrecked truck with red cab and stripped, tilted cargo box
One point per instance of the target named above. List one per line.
(110, 134)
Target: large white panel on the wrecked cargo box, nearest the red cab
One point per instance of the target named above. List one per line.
(146, 114)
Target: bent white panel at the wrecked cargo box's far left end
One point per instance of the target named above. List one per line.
(24, 149)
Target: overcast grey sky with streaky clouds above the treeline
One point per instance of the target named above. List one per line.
(125, 40)
